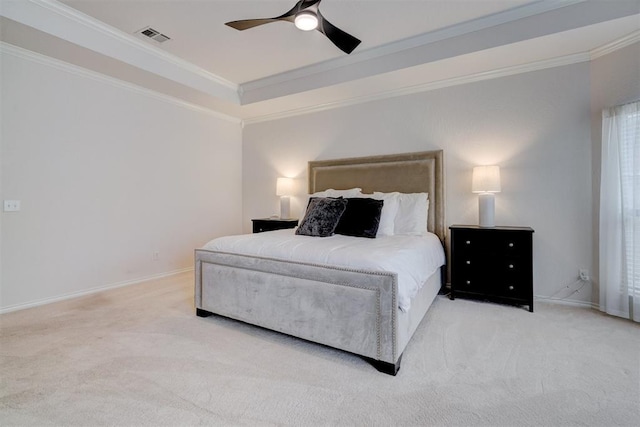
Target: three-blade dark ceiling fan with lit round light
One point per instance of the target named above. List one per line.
(306, 16)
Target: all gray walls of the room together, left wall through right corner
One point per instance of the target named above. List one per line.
(109, 175)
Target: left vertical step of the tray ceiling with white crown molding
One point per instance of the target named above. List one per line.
(62, 21)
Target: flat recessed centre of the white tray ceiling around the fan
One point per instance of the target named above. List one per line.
(199, 36)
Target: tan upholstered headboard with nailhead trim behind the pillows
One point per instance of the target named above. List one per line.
(406, 173)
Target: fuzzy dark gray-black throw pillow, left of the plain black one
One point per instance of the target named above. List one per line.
(322, 216)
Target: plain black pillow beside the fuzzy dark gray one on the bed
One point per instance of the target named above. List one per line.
(361, 218)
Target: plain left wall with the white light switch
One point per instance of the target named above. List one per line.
(108, 175)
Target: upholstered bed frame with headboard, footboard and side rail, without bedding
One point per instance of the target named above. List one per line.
(352, 309)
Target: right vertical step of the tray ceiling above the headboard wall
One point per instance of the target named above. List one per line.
(519, 24)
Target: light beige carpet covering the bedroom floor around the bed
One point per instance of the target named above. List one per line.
(140, 356)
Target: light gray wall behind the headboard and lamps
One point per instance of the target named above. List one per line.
(536, 126)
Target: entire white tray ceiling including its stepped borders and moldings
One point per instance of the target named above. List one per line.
(275, 69)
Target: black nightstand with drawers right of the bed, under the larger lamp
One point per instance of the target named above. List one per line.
(492, 263)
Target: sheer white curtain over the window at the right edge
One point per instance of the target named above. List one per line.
(620, 212)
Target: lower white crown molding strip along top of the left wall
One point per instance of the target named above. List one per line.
(8, 49)
